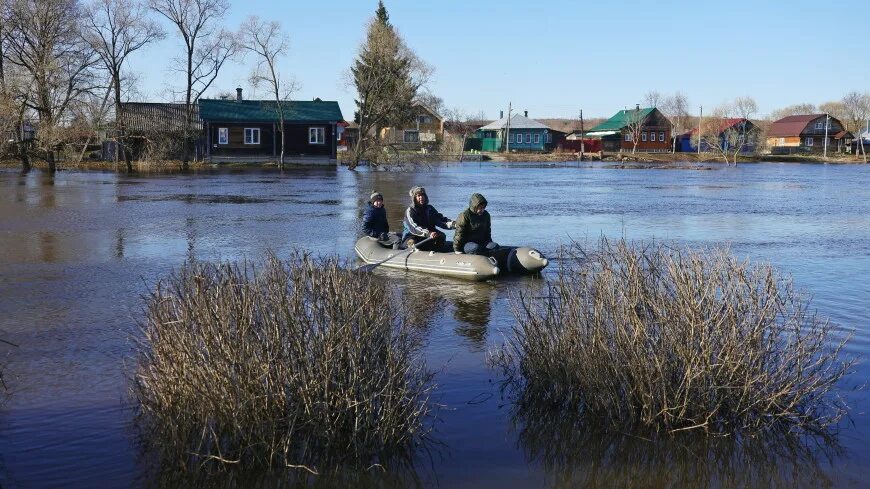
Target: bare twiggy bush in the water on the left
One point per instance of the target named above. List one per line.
(303, 364)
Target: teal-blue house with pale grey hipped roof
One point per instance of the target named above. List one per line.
(518, 134)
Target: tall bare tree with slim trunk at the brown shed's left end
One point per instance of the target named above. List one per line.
(115, 29)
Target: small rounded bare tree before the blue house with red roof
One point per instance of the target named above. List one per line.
(729, 130)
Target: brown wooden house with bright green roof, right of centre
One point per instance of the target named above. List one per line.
(639, 129)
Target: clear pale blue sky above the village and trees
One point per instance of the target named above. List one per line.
(554, 58)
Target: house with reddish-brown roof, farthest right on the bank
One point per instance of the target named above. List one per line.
(806, 134)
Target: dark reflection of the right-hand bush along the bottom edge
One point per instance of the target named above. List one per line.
(576, 453)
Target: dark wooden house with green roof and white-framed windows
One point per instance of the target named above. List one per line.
(248, 129)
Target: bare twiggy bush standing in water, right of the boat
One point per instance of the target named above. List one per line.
(670, 340)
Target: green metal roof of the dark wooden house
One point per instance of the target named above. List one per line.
(267, 110)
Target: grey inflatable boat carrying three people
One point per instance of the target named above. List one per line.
(504, 260)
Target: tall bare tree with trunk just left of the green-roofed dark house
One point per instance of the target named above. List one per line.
(206, 49)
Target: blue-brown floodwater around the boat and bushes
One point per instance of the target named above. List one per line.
(78, 251)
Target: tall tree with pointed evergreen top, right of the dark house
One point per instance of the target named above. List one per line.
(387, 75)
